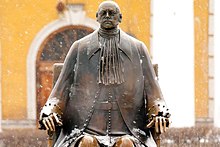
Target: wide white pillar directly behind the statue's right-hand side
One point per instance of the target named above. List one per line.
(173, 49)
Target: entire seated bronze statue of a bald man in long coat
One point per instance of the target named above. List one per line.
(107, 94)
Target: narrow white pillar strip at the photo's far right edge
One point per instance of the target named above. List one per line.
(217, 62)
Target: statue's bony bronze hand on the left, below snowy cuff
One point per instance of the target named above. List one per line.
(50, 122)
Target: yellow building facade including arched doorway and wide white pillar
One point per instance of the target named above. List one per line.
(179, 34)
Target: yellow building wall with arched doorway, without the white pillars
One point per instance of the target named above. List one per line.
(35, 34)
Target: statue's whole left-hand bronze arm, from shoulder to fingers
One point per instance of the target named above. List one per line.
(51, 113)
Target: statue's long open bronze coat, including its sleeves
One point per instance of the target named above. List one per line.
(77, 88)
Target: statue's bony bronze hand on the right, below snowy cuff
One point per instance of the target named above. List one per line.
(160, 123)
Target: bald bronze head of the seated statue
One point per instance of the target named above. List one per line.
(108, 15)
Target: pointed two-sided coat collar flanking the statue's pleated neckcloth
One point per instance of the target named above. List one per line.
(124, 44)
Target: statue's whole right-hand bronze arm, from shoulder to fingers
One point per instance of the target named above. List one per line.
(156, 108)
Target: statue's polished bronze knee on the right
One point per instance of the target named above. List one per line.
(124, 142)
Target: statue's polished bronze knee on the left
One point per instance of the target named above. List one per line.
(88, 141)
